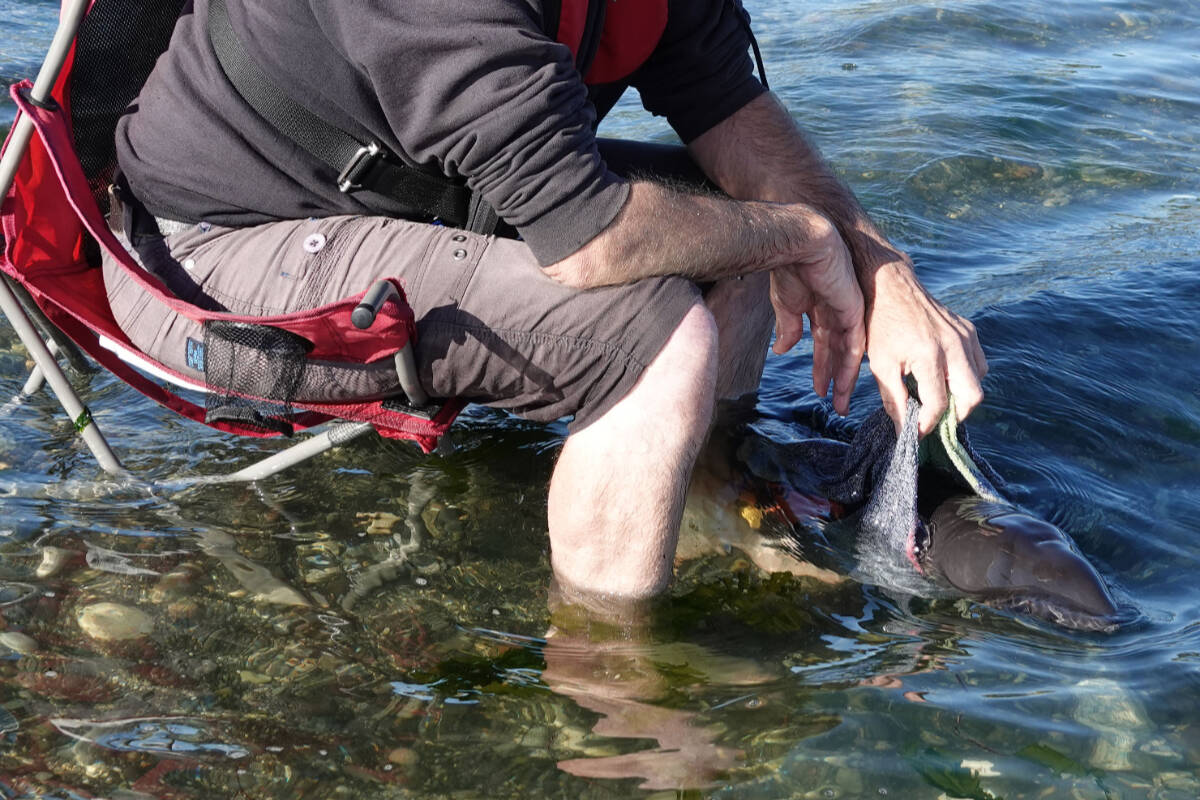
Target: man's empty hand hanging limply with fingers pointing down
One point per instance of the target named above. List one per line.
(824, 287)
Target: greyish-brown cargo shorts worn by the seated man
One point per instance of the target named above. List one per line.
(493, 329)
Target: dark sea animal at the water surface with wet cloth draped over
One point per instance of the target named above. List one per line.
(941, 503)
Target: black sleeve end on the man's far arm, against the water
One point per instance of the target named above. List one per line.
(701, 71)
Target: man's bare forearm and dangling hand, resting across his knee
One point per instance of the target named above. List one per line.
(662, 231)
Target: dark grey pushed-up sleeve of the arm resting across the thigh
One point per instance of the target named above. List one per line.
(478, 91)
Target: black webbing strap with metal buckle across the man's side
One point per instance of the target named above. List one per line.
(358, 166)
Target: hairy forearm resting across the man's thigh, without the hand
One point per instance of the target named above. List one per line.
(662, 232)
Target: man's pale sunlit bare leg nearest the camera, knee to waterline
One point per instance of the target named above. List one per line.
(619, 489)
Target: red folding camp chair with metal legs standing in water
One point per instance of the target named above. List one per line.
(55, 177)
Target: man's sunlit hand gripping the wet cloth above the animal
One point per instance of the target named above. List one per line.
(910, 333)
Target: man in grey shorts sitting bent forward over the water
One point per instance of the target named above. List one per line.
(628, 303)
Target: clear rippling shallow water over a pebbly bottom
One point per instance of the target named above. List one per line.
(1041, 164)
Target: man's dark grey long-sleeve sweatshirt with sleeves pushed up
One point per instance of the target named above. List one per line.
(470, 88)
